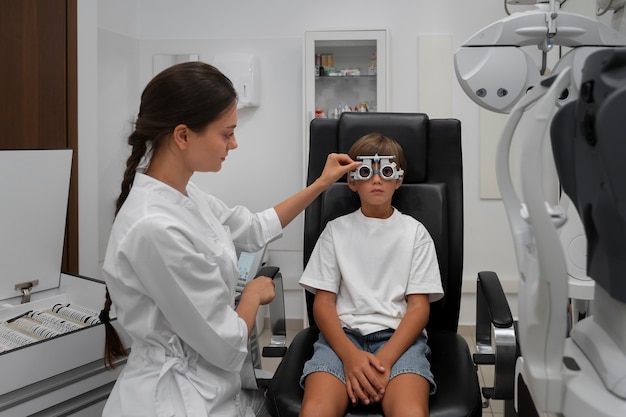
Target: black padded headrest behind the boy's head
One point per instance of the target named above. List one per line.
(409, 130)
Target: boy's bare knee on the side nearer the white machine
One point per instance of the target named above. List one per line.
(406, 395)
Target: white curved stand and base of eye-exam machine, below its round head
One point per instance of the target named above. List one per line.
(584, 374)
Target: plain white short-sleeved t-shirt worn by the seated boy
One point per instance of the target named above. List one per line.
(372, 265)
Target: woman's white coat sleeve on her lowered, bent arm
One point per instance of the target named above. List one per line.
(183, 283)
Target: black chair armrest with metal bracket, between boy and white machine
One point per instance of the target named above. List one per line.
(493, 314)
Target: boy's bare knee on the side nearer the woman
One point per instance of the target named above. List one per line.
(324, 396)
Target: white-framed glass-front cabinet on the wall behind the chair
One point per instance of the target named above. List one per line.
(344, 71)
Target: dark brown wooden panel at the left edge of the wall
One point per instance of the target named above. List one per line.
(38, 90)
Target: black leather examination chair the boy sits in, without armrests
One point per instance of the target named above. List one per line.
(432, 192)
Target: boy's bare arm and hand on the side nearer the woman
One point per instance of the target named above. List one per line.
(360, 367)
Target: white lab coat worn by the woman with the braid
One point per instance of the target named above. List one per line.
(171, 270)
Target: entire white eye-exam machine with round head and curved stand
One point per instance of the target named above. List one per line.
(585, 374)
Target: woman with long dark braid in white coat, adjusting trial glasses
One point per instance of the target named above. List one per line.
(170, 265)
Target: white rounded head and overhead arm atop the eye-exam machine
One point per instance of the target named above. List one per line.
(494, 70)
